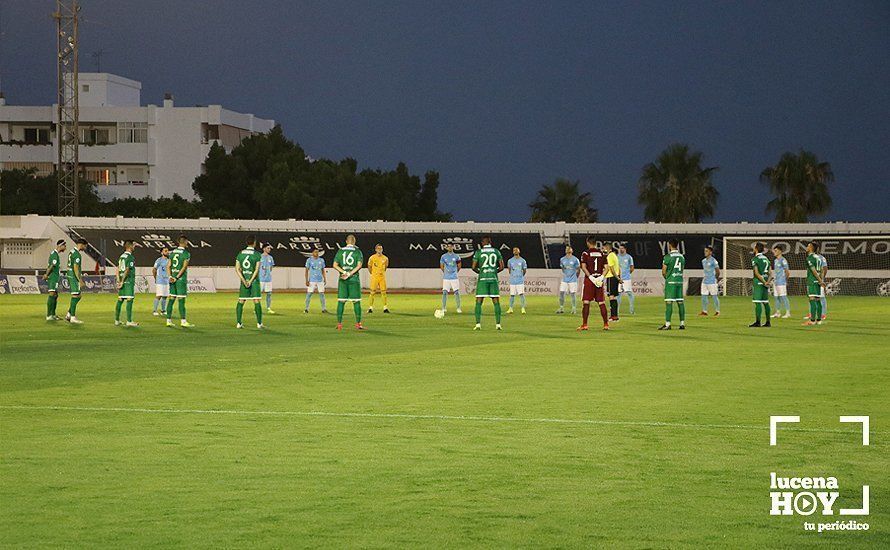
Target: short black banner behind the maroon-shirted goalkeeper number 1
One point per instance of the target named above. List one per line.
(647, 250)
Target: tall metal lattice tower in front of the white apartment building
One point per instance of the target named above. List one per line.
(68, 115)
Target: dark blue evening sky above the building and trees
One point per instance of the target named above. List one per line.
(501, 97)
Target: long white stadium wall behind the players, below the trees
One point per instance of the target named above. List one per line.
(413, 247)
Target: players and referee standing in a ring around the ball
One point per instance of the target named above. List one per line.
(607, 276)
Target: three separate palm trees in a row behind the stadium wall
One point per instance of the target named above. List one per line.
(677, 188)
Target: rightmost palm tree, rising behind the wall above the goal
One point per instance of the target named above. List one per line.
(799, 184)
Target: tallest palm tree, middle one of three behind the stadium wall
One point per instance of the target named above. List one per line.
(676, 189)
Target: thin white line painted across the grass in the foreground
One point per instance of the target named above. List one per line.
(406, 416)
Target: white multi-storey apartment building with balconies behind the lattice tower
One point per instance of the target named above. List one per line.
(128, 149)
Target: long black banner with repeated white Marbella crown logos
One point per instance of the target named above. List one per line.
(291, 248)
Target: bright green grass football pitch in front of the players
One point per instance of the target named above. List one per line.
(85, 464)
